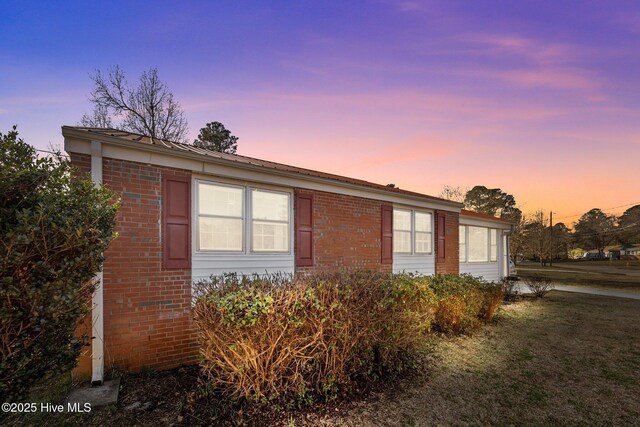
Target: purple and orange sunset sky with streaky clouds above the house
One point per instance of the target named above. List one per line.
(539, 98)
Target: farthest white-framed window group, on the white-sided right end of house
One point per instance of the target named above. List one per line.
(478, 244)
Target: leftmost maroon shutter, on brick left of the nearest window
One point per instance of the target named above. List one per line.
(176, 220)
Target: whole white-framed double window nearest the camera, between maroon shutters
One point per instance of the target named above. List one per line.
(232, 218)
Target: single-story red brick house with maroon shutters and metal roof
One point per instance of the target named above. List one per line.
(188, 213)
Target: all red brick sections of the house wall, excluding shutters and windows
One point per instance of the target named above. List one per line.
(147, 313)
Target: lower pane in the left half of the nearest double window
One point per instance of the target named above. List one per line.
(220, 234)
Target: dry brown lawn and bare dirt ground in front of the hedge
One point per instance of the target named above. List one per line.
(567, 359)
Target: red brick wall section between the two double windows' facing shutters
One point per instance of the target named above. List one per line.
(346, 233)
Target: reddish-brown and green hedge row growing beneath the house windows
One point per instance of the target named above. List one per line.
(282, 338)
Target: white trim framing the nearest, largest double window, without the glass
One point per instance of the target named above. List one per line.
(247, 219)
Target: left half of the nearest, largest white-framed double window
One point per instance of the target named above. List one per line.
(220, 217)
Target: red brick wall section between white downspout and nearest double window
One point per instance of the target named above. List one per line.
(147, 309)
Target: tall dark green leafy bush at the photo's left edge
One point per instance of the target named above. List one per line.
(53, 230)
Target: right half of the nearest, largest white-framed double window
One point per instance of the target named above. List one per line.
(270, 221)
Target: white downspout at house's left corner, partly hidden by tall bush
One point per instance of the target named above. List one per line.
(97, 310)
